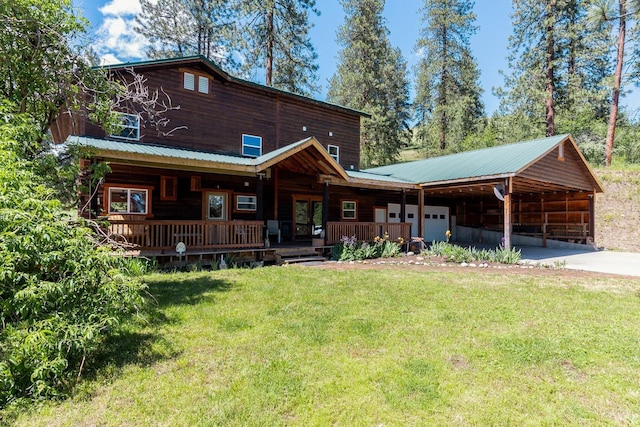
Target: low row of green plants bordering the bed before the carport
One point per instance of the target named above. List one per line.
(455, 253)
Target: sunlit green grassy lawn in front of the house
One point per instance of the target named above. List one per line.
(309, 346)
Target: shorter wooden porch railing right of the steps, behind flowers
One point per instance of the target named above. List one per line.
(367, 231)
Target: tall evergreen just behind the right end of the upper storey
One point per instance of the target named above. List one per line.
(372, 77)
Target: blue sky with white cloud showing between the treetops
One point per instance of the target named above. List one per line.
(115, 41)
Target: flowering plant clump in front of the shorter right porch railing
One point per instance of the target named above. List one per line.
(349, 249)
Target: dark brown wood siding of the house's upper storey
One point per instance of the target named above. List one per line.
(215, 122)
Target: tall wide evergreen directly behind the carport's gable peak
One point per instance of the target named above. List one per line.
(559, 68)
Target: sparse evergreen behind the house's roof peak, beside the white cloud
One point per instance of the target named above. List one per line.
(177, 28)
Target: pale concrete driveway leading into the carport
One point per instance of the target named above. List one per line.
(623, 263)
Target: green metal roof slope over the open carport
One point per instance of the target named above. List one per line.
(503, 160)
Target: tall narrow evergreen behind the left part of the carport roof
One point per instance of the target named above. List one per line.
(448, 94)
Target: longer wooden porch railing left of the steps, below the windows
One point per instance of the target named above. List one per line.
(165, 235)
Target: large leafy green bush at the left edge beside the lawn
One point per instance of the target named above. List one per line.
(59, 293)
